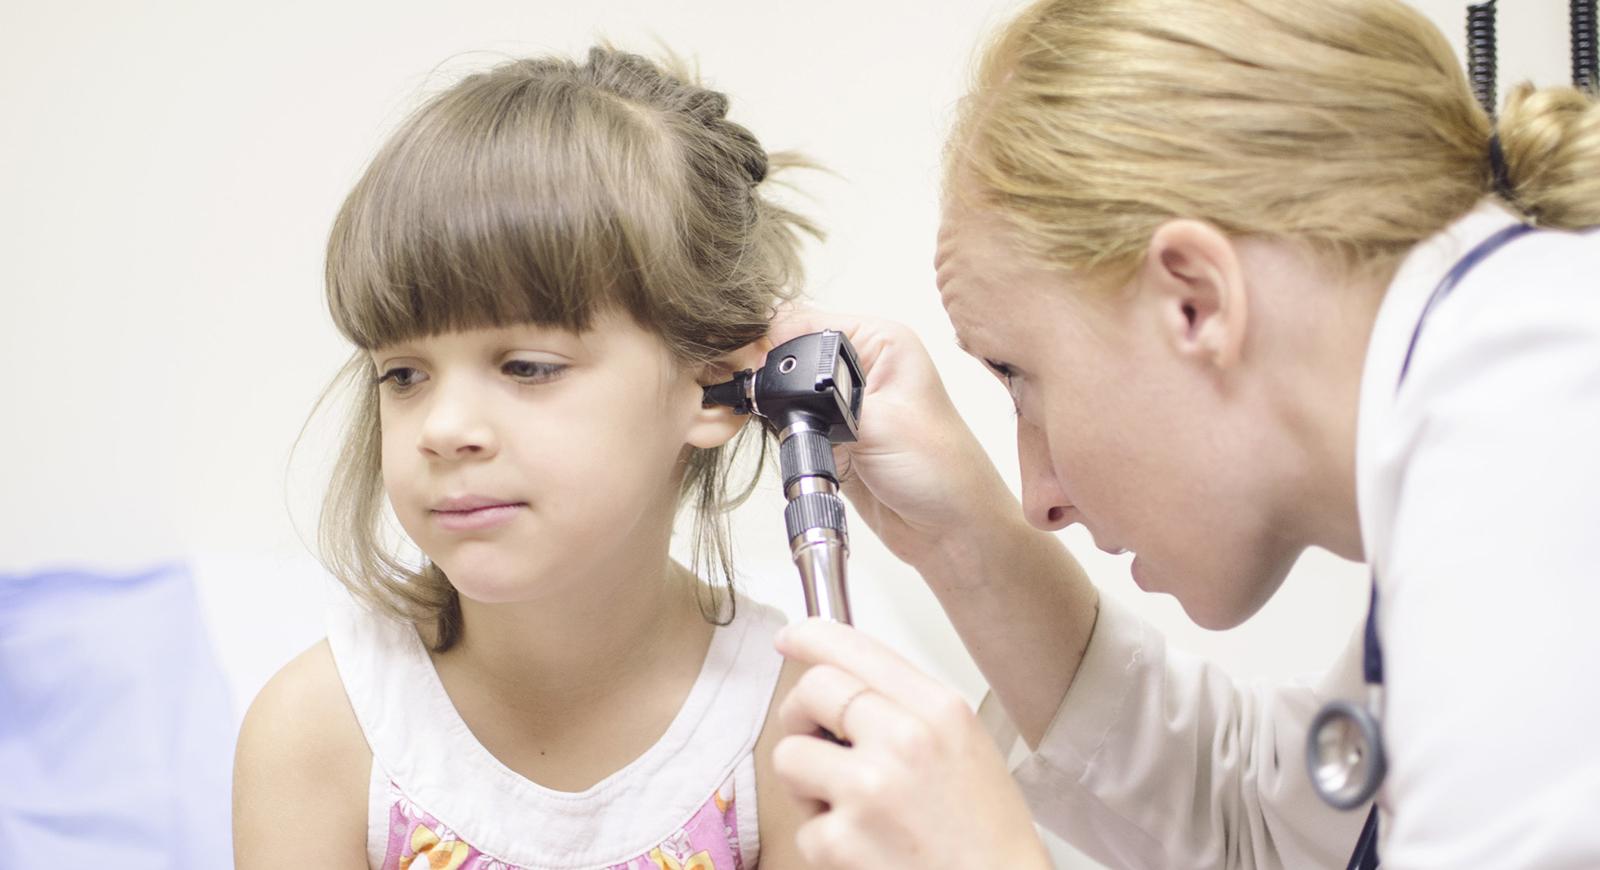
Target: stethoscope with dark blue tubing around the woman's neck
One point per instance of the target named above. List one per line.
(1345, 749)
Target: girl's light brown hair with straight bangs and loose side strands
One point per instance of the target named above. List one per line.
(548, 191)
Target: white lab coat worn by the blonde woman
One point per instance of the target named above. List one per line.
(1479, 495)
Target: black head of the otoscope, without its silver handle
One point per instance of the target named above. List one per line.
(814, 378)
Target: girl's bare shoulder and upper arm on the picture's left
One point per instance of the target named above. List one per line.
(302, 767)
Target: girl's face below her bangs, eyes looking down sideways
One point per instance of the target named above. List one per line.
(527, 460)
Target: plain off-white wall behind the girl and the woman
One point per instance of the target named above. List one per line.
(169, 174)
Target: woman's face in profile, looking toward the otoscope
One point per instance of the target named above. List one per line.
(1130, 421)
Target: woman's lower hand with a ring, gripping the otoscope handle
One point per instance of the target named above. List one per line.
(921, 783)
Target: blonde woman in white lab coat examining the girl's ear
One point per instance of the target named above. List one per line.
(1260, 276)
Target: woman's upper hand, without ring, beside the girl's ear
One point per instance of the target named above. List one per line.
(916, 474)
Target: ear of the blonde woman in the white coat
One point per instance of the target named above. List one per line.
(1194, 273)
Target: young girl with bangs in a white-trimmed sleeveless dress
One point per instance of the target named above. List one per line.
(540, 271)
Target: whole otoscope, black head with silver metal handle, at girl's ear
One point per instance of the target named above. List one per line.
(810, 391)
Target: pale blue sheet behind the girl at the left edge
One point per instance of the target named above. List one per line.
(116, 725)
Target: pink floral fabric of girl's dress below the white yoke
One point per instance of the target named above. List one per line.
(708, 842)
